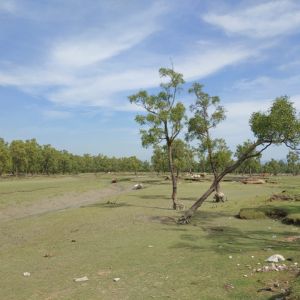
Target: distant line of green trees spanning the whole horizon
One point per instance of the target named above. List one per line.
(29, 158)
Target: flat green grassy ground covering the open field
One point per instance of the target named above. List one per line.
(137, 240)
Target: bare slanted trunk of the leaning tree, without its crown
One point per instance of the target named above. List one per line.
(185, 219)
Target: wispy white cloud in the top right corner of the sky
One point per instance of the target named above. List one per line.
(265, 20)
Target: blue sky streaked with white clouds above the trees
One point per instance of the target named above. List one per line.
(68, 67)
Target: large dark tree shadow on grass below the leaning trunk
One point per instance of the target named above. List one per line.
(227, 239)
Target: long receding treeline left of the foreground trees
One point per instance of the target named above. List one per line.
(28, 157)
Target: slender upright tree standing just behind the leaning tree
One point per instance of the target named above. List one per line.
(208, 113)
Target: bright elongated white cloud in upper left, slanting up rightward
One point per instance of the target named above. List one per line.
(97, 46)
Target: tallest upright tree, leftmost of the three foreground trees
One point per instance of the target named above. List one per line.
(164, 118)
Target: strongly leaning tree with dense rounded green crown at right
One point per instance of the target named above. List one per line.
(280, 125)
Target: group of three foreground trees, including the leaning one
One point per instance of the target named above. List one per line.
(165, 118)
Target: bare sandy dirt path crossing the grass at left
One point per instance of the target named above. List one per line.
(66, 201)
